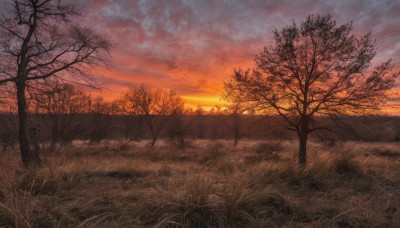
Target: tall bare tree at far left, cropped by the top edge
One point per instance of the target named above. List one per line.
(38, 41)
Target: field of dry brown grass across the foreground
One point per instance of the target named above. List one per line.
(210, 184)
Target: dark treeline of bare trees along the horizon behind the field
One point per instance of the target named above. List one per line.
(61, 112)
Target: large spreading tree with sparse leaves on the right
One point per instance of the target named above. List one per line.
(315, 69)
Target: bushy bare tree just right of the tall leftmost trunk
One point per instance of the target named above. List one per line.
(60, 104)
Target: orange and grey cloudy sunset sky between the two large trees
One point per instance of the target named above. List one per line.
(194, 45)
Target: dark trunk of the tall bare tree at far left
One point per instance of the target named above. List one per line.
(29, 155)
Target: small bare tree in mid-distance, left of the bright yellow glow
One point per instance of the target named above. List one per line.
(155, 105)
